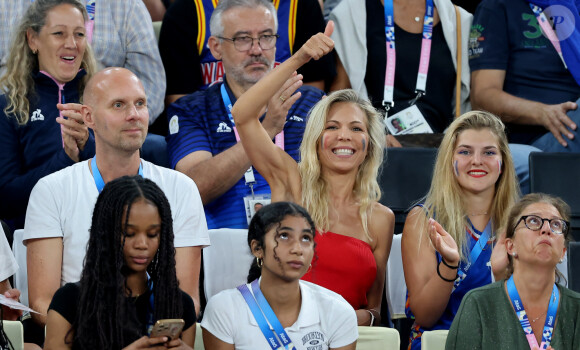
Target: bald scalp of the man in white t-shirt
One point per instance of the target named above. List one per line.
(103, 80)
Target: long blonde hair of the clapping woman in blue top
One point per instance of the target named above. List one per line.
(445, 202)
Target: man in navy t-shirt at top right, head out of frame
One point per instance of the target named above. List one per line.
(518, 73)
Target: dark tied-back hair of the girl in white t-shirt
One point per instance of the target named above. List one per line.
(265, 219)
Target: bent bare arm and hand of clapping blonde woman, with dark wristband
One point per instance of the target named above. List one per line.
(428, 293)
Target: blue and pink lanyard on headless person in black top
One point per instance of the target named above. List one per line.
(420, 86)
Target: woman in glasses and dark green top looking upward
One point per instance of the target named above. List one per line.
(529, 309)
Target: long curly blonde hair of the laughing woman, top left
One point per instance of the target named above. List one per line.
(17, 83)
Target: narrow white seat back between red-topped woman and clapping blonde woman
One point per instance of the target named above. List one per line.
(395, 286)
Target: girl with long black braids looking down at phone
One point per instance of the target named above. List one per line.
(128, 280)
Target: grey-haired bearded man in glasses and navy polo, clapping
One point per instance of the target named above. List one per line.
(202, 141)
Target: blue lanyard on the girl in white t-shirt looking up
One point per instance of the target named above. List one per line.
(264, 309)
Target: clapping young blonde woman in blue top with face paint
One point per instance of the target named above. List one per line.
(447, 241)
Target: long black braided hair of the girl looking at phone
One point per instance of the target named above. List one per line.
(106, 317)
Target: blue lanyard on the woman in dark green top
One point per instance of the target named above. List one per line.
(523, 317)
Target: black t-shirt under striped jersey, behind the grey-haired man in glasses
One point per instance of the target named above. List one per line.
(177, 45)
